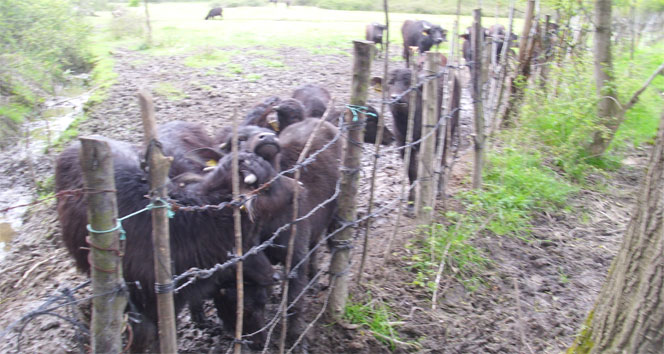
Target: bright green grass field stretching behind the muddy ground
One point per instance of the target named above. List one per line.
(180, 28)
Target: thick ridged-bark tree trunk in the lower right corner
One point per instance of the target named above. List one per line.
(628, 316)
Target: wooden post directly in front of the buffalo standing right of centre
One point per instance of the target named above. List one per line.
(430, 116)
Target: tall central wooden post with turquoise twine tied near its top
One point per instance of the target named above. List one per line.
(363, 56)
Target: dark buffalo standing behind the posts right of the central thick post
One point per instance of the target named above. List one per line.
(399, 82)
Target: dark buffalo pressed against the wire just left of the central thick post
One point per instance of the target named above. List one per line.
(317, 184)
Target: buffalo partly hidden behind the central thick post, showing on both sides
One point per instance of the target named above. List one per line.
(315, 99)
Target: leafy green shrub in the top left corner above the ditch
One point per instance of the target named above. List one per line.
(42, 42)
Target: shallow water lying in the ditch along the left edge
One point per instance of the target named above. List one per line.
(58, 113)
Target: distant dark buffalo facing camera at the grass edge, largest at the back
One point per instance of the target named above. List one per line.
(420, 34)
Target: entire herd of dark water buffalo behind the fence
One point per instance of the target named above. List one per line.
(271, 138)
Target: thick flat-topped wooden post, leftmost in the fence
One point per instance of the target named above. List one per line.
(105, 260)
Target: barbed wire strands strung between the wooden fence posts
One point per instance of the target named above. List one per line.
(189, 277)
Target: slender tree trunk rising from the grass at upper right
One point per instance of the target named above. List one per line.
(607, 108)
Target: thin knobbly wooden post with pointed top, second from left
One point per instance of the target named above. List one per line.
(159, 165)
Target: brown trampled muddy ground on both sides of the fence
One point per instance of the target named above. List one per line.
(534, 297)
